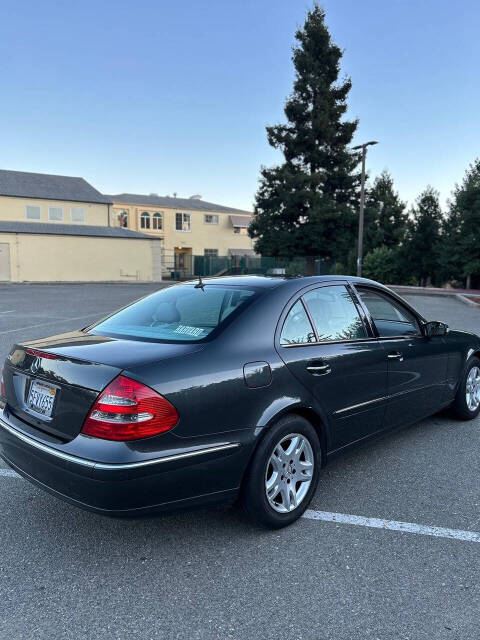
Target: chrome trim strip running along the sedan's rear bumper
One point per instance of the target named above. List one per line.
(111, 466)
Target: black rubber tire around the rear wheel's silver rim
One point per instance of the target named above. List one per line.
(254, 495)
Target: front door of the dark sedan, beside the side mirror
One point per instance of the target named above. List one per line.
(417, 365)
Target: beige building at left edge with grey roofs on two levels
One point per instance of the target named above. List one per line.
(58, 228)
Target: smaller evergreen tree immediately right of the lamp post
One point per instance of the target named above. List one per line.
(385, 215)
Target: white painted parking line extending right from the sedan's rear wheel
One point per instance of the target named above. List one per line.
(393, 525)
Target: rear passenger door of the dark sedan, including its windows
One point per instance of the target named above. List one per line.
(327, 343)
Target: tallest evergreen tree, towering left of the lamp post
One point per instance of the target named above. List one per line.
(306, 206)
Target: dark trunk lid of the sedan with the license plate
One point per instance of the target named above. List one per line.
(52, 384)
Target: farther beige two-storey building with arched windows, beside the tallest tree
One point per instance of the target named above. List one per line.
(186, 227)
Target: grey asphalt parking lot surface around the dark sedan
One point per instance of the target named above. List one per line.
(65, 573)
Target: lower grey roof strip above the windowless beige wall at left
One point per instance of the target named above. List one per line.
(45, 228)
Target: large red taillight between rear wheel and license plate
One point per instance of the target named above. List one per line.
(129, 410)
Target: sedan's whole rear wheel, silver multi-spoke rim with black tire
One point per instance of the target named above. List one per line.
(283, 474)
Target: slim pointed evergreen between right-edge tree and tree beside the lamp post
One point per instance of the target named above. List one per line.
(422, 245)
